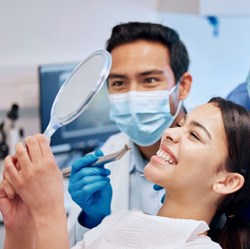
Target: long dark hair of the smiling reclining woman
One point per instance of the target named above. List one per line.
(235, 207)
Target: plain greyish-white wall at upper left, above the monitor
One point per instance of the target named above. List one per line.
(58, 30)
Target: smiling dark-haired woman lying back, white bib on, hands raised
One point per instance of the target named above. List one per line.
(202, 164)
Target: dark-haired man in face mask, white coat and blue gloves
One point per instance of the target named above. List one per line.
(147, 83)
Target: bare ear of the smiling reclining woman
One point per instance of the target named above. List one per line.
(228, 182)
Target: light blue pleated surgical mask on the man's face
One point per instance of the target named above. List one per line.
(142, 115)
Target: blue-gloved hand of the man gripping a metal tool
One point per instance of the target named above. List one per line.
(90, 188)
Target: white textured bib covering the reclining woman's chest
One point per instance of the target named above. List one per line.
(134, 229)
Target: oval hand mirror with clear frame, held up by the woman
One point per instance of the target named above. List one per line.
(79, 89)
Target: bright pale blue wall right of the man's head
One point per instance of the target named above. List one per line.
(218, 64)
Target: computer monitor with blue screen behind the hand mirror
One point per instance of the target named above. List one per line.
(90, 129)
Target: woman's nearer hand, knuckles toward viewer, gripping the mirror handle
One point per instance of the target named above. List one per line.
(39, 180)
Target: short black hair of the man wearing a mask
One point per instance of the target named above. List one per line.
(134, 31)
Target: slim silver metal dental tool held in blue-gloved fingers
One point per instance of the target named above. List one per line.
(104, 159)
